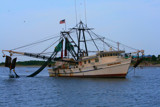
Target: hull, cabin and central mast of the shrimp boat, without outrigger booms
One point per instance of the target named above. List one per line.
(101, 64)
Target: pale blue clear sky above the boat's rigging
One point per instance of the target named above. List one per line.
(135, 23)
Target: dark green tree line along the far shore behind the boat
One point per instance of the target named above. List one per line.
(152, 61)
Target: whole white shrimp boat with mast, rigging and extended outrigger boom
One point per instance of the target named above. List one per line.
(78, 54)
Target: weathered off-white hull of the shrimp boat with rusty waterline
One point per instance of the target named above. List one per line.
(117, 70)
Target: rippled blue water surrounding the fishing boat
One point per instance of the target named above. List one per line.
(139, 90)
